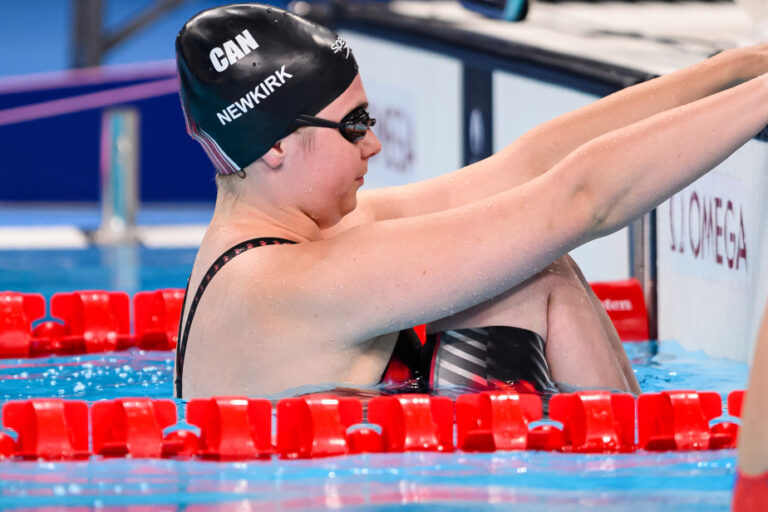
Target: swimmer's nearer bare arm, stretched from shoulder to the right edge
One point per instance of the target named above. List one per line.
(389, 275)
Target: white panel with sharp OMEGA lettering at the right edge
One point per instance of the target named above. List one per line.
(713, 257)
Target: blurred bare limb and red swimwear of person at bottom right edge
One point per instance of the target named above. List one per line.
(751, 492)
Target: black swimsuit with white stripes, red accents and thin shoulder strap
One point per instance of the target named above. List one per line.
(476, 359)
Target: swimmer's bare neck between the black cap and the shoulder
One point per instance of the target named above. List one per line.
(253, 215)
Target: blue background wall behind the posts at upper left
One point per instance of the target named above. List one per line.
(57, 159)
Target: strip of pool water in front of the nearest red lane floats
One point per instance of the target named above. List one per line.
(410, 481)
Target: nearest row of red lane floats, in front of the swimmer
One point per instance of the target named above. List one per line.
(239, 428)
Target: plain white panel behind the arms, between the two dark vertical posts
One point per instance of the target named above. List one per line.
(520, 104)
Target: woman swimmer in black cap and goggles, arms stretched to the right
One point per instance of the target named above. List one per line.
(303, 280)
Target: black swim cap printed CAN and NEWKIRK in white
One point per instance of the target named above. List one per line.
(247, 71)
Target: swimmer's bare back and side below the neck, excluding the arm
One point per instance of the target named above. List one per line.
(244, 339)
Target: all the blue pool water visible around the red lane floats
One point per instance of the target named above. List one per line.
(698, 481)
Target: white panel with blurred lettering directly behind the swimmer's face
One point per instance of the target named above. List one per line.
(416, 98)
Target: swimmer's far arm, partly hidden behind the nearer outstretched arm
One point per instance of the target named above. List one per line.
(546, 145)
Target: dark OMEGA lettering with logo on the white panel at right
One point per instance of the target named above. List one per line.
(706, 225)
